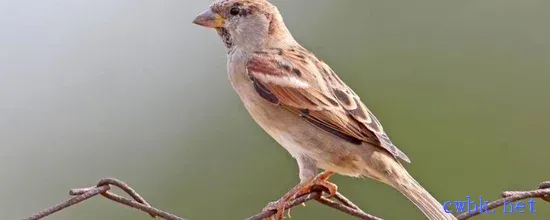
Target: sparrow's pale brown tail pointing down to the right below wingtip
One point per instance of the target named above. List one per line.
(411, 189)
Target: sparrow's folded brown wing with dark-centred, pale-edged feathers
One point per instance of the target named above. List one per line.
(298, 81)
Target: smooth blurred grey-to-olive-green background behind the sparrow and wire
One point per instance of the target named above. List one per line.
(131, 89)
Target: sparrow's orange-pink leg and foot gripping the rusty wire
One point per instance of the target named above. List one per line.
(301, 189)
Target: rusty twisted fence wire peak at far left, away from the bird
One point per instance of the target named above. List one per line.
(102, 188)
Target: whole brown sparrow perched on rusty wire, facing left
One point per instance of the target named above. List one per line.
(305, 106)
